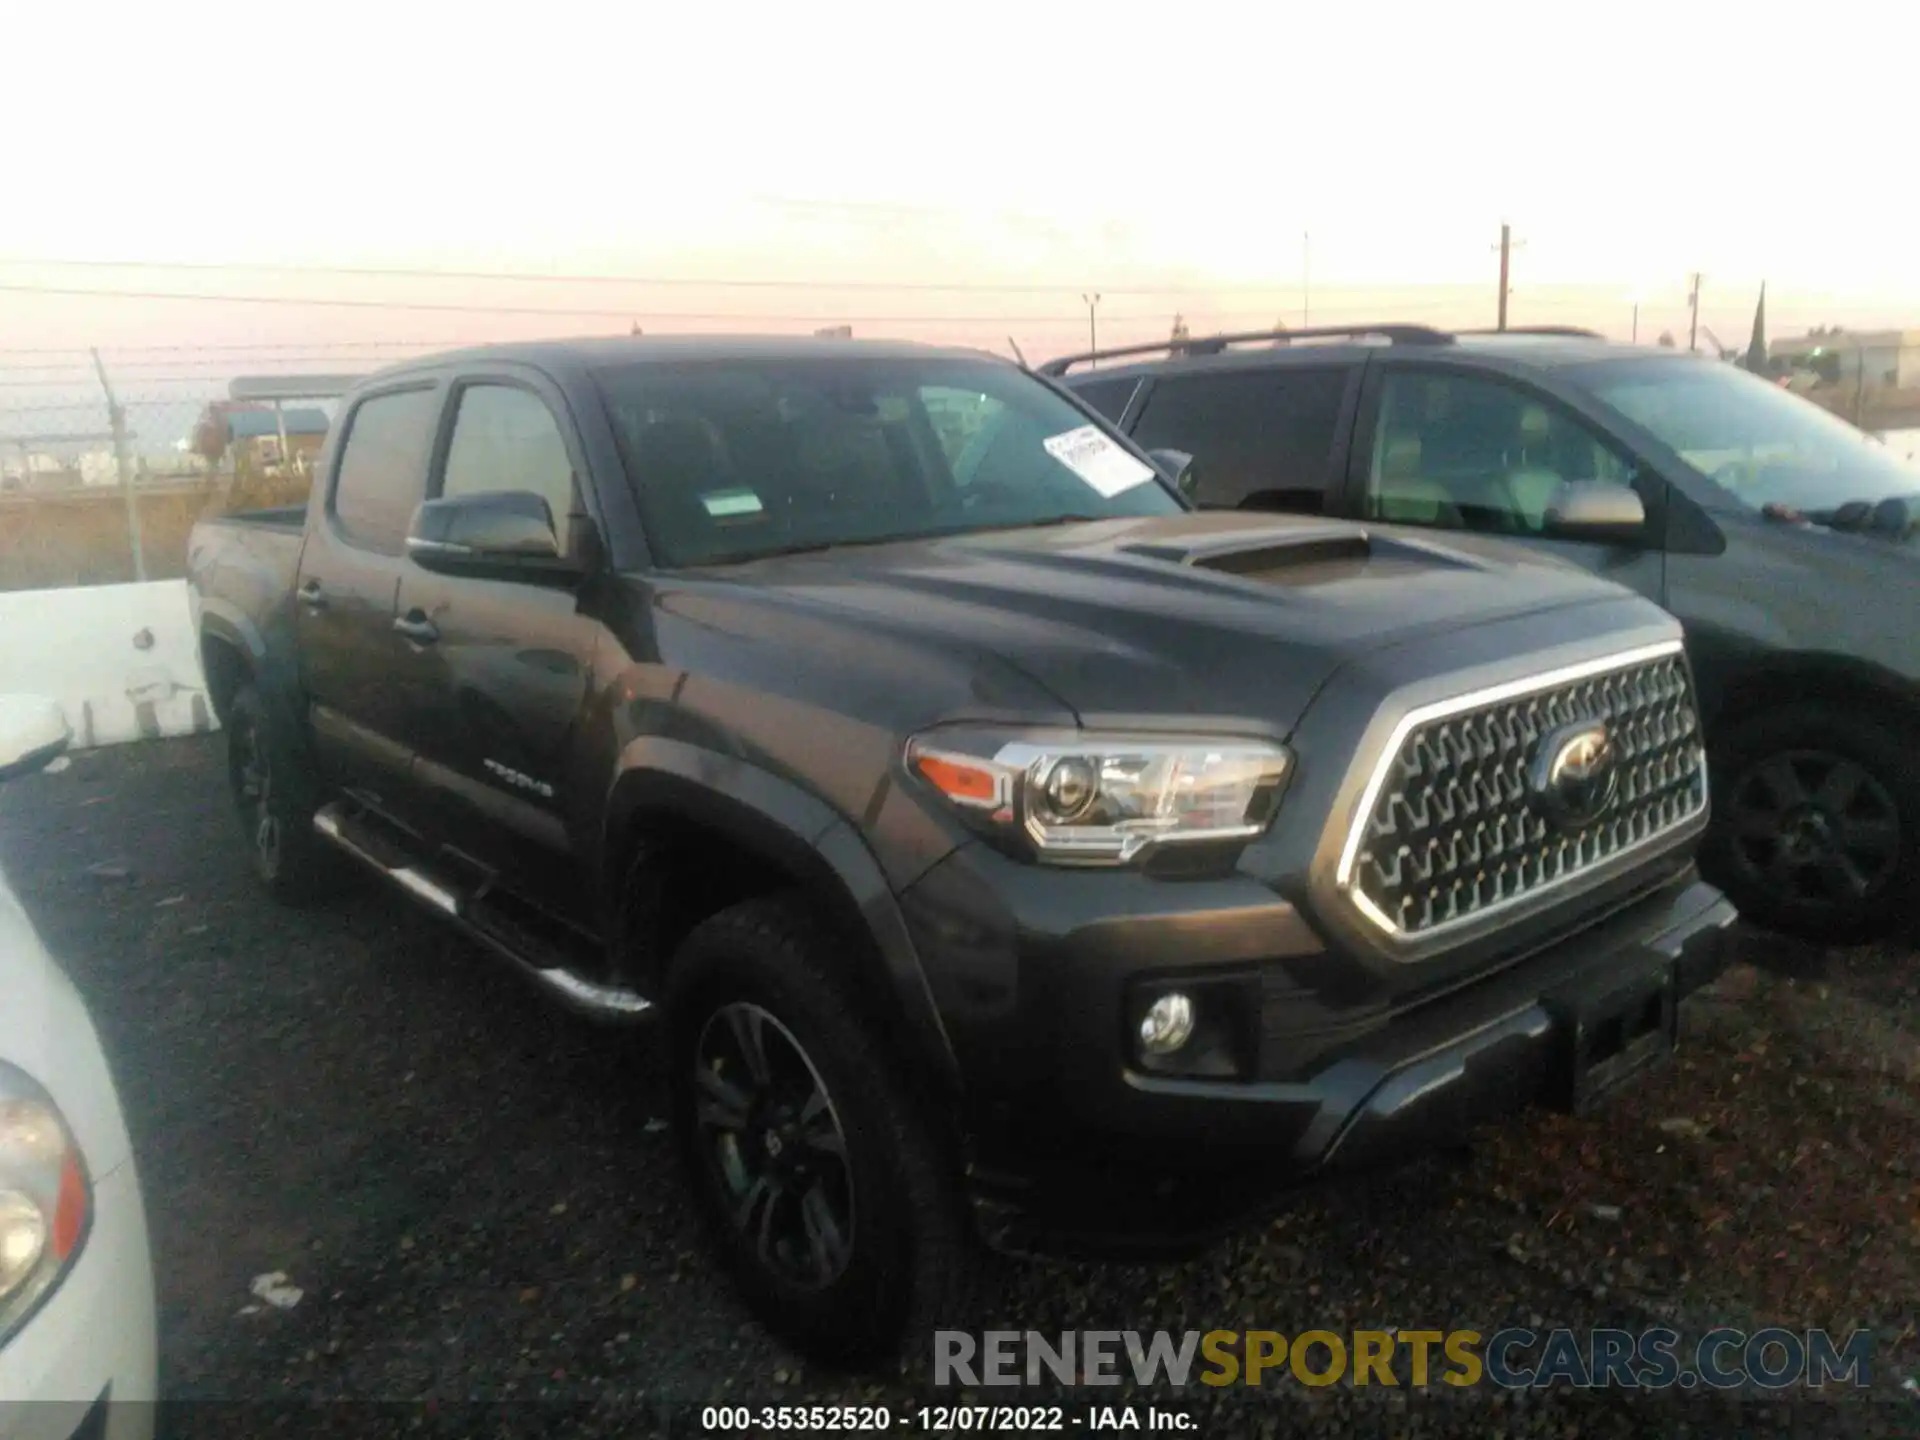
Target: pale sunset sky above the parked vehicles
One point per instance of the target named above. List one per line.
(946, 172)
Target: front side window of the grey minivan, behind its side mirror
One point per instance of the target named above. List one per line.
(1470, 452)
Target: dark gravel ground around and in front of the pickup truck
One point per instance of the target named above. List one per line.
(479, 1201)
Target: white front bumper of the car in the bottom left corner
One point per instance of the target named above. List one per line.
(85, 1362)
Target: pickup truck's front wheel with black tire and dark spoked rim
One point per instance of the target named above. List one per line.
(905, 1251)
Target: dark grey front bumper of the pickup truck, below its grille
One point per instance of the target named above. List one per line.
(1351, 1063)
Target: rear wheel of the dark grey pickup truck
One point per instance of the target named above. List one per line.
(276, 796)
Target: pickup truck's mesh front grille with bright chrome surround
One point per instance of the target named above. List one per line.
(1458, 819)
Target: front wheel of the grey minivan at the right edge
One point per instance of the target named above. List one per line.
(1817, 825)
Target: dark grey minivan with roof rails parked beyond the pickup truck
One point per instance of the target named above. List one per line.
(1779, 535)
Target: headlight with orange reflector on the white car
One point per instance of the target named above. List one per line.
(45, 1207)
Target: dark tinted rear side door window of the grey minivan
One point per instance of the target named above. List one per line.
(1260, 439)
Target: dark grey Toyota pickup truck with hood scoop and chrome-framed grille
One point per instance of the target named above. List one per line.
(982, 823)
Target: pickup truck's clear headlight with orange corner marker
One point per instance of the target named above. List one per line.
(1103, 800)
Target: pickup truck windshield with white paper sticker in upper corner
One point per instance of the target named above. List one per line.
(746, 458)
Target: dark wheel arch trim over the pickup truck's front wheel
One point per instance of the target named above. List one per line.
(794, 830)
